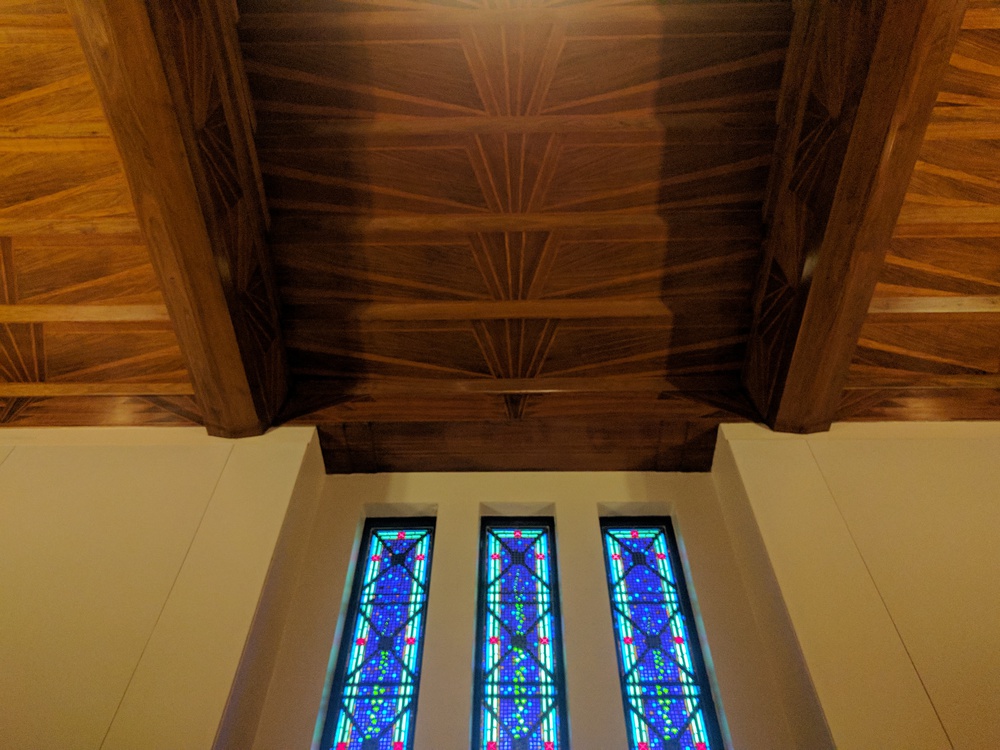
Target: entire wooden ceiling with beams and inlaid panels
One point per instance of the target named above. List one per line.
(499, 234)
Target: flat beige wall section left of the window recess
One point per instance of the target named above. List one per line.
(131, 563)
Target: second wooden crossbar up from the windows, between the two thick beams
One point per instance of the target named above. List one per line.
(510, 309)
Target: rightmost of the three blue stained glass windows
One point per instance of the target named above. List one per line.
(668, 700)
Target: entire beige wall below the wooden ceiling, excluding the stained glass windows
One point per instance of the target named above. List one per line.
(844, 583)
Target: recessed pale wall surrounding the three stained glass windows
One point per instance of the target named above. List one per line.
(755, 713)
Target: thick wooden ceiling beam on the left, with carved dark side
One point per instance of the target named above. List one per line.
(170, 78)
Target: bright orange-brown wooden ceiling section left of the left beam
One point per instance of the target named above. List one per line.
(81, 314)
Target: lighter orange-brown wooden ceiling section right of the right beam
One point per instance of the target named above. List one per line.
(931, 332)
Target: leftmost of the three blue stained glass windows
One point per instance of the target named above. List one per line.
(373, 698)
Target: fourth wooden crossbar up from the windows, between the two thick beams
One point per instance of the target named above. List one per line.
(699, 127)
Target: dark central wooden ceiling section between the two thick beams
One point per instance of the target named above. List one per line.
(498, 229)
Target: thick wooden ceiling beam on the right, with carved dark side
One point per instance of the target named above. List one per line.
(860, 83)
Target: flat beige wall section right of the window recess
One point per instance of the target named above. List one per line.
(883, 539)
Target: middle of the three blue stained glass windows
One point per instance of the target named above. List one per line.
(520, 688)
